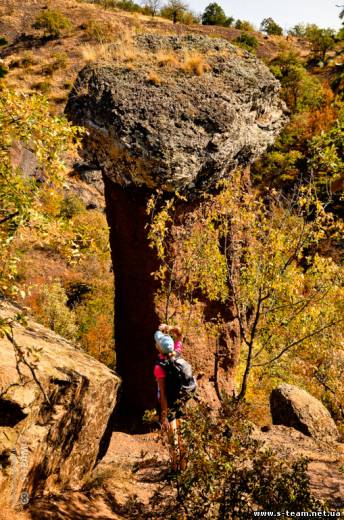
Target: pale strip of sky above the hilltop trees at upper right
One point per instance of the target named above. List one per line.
(286, 13)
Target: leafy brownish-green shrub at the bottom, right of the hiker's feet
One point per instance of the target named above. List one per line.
(229, 474)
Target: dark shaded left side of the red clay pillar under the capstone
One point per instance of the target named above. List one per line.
(135, 315)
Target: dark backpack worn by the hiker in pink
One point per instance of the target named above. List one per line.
(180, 382)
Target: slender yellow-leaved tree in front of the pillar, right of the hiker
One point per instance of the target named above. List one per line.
(260, 257)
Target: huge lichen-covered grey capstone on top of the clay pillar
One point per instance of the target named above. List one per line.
(186, 131)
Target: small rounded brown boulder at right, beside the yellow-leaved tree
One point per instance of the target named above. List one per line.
(294, 407)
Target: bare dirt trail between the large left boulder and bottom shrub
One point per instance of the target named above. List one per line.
(133, 464)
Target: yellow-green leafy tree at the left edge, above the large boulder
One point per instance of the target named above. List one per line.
(26, 120)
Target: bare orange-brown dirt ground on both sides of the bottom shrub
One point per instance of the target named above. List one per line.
(136, 464)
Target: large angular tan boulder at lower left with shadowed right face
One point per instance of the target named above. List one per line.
(55, 404)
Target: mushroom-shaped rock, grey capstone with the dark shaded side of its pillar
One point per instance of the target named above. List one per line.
(173, 113)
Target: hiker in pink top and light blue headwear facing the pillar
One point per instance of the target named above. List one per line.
(175, 385)
